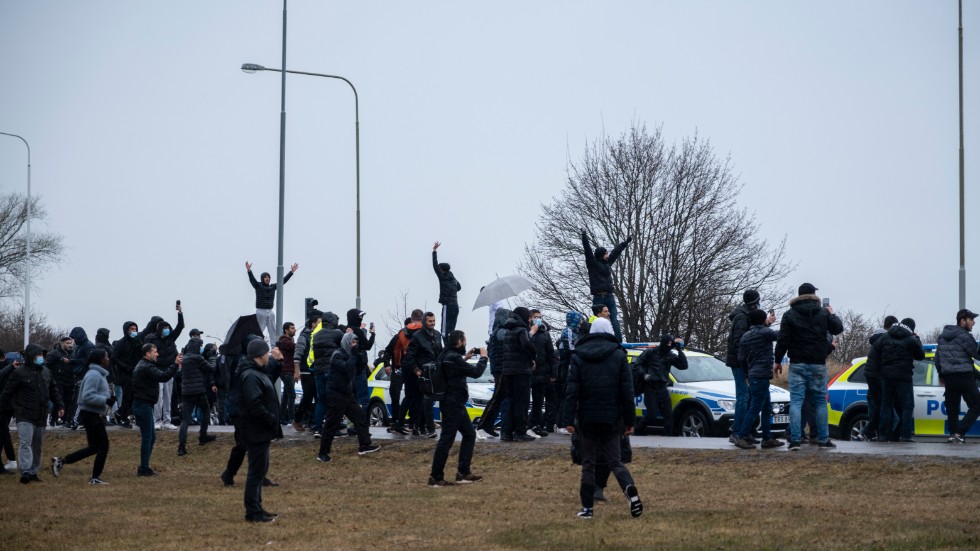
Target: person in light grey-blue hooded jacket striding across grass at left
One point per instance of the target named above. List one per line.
(93, 399)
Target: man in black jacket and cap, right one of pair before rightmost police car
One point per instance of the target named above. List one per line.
(895, 354)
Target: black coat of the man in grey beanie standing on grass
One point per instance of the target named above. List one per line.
(258, 416)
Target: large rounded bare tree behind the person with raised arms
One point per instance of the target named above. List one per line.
(694, 251)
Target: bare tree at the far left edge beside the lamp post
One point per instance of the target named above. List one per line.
(45, 246)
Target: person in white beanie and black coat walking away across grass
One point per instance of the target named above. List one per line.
(599, 397)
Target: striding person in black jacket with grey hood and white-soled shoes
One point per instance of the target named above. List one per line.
(340, 399)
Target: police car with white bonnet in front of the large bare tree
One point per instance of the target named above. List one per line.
(703, 396)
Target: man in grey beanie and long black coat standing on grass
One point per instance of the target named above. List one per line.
(258, 425)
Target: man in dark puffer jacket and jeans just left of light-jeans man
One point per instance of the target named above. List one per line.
(755, 357)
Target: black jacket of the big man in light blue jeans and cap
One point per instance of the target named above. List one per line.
(803, 331)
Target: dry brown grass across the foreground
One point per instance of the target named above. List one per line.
(694, 499)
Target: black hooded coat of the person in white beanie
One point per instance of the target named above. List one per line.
(600, 383)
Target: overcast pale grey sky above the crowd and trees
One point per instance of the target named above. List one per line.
(157, 158)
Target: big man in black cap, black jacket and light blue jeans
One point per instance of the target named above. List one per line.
(803, 333)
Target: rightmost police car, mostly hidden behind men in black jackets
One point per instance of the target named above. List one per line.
(847, 400)
